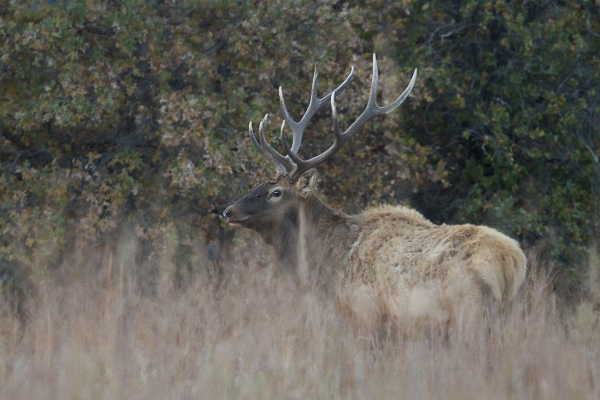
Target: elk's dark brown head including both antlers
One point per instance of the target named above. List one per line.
(272, 206)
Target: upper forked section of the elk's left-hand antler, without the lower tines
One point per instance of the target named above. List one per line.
(314, 104)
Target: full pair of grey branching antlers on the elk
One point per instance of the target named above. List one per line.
(293, 166)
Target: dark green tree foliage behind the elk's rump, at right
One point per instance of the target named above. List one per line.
(511, 107)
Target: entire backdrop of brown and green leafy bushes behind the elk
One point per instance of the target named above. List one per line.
(136, 110)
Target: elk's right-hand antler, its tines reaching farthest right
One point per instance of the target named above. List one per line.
(371, 110)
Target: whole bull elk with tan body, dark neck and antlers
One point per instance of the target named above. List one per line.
(386, 264)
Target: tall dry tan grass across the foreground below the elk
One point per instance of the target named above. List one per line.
(259, 337)
